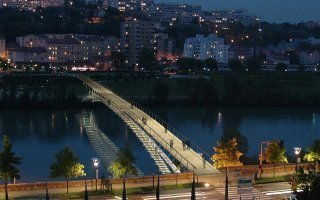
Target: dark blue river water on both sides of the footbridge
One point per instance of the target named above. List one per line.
(37, 135)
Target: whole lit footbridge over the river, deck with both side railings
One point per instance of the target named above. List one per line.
(189, 155)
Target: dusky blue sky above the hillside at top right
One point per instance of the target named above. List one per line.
(279, 11)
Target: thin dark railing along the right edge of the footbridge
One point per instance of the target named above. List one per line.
(174, 131)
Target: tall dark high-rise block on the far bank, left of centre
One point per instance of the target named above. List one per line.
(135, 35)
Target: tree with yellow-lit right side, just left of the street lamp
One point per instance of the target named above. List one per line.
(67, 165)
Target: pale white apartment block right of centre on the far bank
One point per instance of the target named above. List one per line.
(201, 47)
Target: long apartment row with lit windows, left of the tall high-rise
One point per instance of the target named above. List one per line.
(61, 49)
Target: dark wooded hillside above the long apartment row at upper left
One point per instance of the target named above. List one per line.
(15, 23)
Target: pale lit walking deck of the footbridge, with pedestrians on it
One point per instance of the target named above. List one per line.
(187, 156)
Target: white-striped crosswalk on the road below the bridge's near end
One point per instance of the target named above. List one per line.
(254, 194)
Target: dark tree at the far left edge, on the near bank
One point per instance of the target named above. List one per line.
(8, 162)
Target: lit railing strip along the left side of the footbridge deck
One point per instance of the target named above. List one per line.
(163, 142)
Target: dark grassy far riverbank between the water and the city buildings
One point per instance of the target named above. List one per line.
(220, 89)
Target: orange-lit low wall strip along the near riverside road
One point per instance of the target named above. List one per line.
(215, 180)
